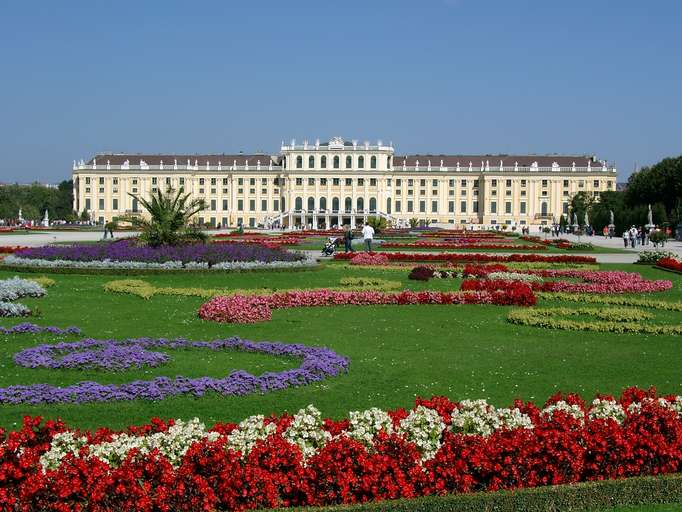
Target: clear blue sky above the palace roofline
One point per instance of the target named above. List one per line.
(445, 76)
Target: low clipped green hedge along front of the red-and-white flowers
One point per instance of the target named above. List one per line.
(583, 496)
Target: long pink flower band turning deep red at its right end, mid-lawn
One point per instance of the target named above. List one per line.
(252, 309)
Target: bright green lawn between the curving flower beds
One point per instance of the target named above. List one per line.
(396, 352)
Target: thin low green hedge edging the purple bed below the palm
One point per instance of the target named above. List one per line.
(143, 271)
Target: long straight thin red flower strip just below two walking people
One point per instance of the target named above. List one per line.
(476, 257)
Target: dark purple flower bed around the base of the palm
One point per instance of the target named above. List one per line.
(127, 250)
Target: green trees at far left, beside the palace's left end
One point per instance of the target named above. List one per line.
(35, 199)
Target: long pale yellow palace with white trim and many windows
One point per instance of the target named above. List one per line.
(325, 184)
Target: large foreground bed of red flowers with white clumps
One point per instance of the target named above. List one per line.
(439, 447)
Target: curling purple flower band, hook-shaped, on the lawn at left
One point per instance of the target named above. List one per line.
(318, 363)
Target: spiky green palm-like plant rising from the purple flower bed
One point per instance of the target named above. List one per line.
(169, 221)
